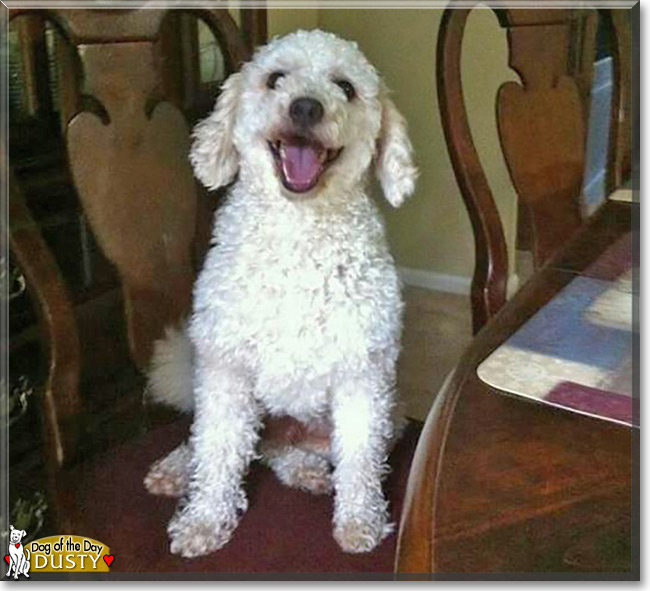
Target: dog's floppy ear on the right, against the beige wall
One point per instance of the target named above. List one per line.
(394, 160)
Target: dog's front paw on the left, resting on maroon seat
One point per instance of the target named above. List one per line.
(193, 533)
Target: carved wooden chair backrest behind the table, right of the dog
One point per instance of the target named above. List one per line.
(542, 125)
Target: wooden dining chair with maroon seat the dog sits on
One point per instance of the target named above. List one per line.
(127, 140)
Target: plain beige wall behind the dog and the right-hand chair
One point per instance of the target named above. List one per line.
(432, 231)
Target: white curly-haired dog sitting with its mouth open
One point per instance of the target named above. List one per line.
(297, 310)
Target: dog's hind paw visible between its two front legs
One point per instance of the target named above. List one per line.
(299, 468)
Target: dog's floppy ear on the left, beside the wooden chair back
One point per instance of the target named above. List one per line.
(213, 155)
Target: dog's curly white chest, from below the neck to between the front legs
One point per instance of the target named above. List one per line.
(299, 303)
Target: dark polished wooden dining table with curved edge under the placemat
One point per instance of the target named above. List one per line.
(500, 484)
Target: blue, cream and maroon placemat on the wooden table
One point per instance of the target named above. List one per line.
(574, 353)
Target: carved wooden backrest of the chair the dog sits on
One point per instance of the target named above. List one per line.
(127, 148)
